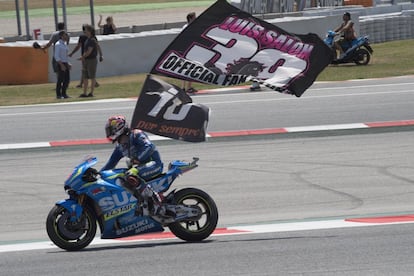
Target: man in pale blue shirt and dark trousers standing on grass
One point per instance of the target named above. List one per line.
(63, 65)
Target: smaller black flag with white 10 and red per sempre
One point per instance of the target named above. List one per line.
(165, 109)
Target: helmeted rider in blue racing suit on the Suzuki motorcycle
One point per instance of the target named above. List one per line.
(144, 158)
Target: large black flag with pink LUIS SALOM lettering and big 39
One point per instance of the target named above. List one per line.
(227, 46)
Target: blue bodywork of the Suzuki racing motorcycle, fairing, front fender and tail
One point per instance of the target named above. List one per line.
(114, 205)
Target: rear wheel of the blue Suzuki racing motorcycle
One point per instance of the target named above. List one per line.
(202, 227)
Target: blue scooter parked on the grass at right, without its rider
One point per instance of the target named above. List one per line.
(359, 51)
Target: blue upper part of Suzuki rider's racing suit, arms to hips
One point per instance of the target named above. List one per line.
(141, 151)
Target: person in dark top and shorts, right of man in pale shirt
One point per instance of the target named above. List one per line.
(89, 61)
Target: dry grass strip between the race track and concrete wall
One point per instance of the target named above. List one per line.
(389, 59)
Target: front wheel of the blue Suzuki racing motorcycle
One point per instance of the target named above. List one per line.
(70, 236)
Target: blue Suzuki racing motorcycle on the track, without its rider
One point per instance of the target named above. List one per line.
(99, 197)
